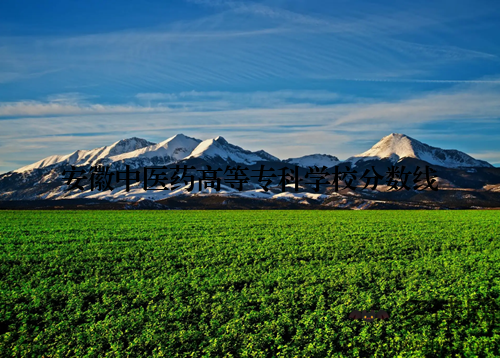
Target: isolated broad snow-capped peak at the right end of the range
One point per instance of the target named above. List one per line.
(397, 146)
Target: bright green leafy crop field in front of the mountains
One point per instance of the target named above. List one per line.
(249, 283)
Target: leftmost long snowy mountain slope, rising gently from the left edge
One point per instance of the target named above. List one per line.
(88, 157)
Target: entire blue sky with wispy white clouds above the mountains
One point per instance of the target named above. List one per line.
(292, 77)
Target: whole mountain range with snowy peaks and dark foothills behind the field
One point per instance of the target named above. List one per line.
(457, 173)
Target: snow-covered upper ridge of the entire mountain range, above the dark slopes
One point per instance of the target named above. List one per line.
(394, 147)
